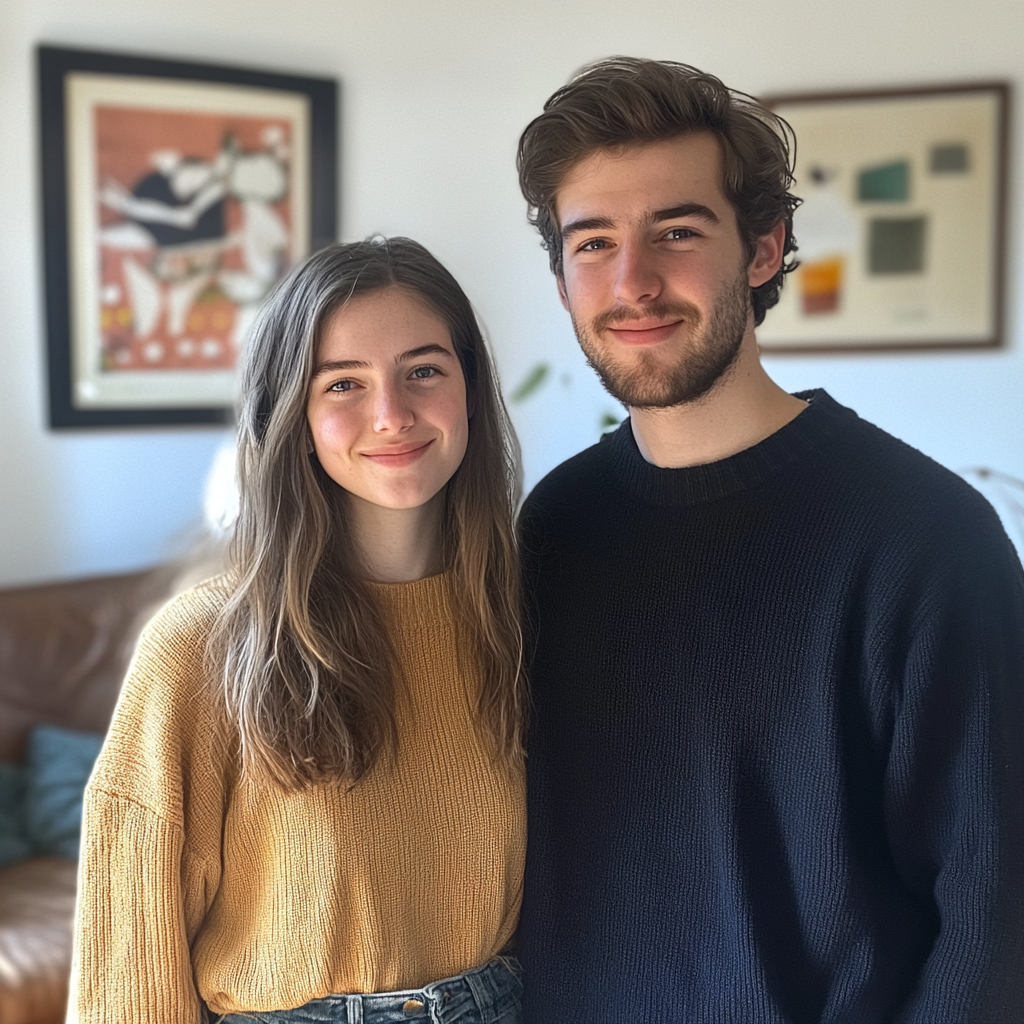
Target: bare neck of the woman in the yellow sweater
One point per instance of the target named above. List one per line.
(397, 545)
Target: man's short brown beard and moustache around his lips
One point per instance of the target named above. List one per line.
(710, 352)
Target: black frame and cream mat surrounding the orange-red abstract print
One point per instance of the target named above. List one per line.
(58, 67)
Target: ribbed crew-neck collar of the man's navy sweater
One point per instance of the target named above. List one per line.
(697, 485)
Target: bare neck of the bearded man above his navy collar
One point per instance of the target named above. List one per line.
(743, 409)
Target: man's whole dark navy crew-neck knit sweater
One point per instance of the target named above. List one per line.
(777, 759)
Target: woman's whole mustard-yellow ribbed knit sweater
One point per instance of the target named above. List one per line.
(197, 887)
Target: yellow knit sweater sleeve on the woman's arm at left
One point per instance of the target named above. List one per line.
(152, 833)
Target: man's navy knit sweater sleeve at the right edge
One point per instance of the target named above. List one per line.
(955, 801)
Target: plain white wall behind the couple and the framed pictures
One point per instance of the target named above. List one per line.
(435, 97)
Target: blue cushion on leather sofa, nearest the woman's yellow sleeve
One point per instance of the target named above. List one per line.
(59, 764)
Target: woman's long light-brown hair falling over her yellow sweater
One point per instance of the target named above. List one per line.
(307, 670)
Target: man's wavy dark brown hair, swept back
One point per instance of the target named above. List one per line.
(622, 102)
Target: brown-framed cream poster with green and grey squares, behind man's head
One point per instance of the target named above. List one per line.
(903, 228)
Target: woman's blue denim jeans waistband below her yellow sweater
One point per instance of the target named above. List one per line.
(488, 995)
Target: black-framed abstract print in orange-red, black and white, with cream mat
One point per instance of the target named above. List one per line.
(176, 197)
